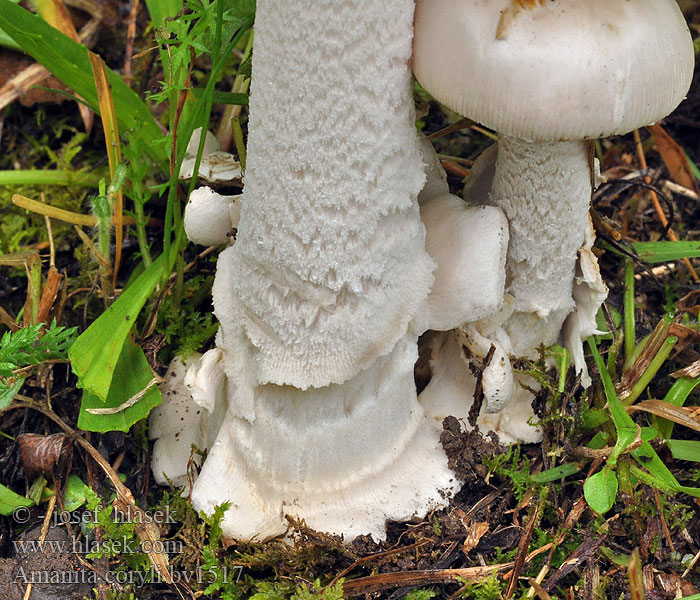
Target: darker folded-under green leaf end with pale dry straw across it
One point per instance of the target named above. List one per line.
(131, 376)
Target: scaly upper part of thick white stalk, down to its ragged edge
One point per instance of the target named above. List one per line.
(329, 266)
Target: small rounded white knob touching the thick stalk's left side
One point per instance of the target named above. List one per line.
(210, 217)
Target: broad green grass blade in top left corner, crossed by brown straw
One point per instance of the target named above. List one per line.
(69, 61)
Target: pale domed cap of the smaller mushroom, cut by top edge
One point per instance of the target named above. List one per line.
(559, 70)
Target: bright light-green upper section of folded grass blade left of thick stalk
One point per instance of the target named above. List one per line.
(94, 355)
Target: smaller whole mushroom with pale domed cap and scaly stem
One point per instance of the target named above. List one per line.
(547, 76)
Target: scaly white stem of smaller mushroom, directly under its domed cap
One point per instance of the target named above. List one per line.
(545, 191)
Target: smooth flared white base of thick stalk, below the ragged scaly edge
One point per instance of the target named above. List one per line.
(345, 458)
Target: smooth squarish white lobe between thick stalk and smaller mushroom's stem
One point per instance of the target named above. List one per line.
(469, 245)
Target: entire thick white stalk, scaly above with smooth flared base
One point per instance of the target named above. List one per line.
(326, 289)
